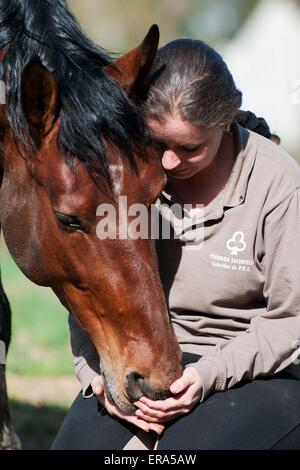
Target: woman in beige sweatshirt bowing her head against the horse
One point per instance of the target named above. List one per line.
(234, 300)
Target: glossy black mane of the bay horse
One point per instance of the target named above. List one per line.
(92, 105)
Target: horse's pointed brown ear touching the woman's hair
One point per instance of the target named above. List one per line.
(132, 69)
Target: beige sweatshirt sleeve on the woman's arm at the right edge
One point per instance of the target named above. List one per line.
(269, 345)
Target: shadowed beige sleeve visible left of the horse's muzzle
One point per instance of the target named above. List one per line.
(86, 358)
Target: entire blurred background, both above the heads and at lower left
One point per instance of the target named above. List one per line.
(260, 41)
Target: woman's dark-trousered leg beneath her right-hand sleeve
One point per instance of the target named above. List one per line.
(254, 415)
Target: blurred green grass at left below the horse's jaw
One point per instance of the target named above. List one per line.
(40, 342)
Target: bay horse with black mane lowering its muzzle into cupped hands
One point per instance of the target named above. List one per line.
(67, 124)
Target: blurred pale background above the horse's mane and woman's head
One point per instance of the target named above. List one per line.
(259, 40)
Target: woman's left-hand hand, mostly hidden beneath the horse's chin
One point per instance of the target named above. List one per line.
(98, 389)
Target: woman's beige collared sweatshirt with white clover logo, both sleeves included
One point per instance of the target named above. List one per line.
(235, 298)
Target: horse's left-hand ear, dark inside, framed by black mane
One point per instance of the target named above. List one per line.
(39, 97)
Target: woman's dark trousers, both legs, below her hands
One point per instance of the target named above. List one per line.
(260, 414)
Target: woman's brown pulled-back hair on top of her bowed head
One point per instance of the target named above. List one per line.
(189, 76)
